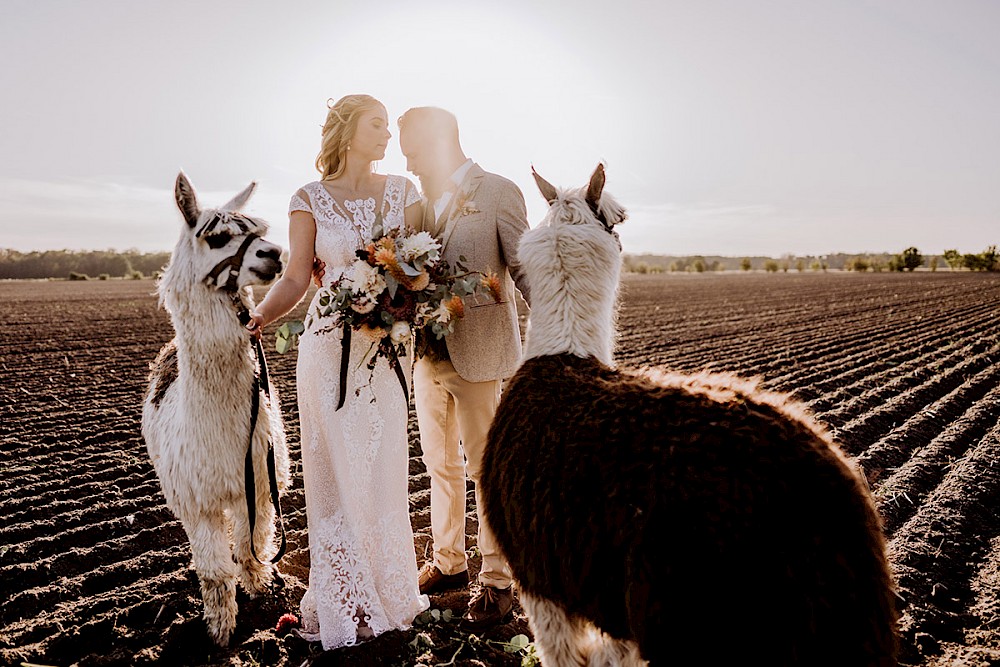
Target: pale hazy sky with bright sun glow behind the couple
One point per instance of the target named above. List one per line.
(727, 127)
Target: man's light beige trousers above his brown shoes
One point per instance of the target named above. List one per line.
(453, 412)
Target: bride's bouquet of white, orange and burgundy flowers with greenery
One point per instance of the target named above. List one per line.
(398, 284)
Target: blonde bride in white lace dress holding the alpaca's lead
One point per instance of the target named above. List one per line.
(363, 570)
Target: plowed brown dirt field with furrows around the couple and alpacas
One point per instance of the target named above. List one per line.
(94, 570)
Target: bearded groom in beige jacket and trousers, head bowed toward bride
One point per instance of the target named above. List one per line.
(456, 380)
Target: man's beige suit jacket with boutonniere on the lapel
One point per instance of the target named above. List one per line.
(483, 223)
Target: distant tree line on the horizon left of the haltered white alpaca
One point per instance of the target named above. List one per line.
(80, 265)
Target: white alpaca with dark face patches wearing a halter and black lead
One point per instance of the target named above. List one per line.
(197, 410)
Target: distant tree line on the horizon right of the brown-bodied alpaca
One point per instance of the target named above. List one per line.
(909, 259)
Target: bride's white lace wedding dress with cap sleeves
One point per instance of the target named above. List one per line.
(363, 569)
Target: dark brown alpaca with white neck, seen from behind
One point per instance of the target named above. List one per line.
(665, 518)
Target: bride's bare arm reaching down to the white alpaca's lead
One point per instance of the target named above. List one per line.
(294, 282)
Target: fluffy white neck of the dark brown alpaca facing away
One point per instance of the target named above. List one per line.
(573, 272)
